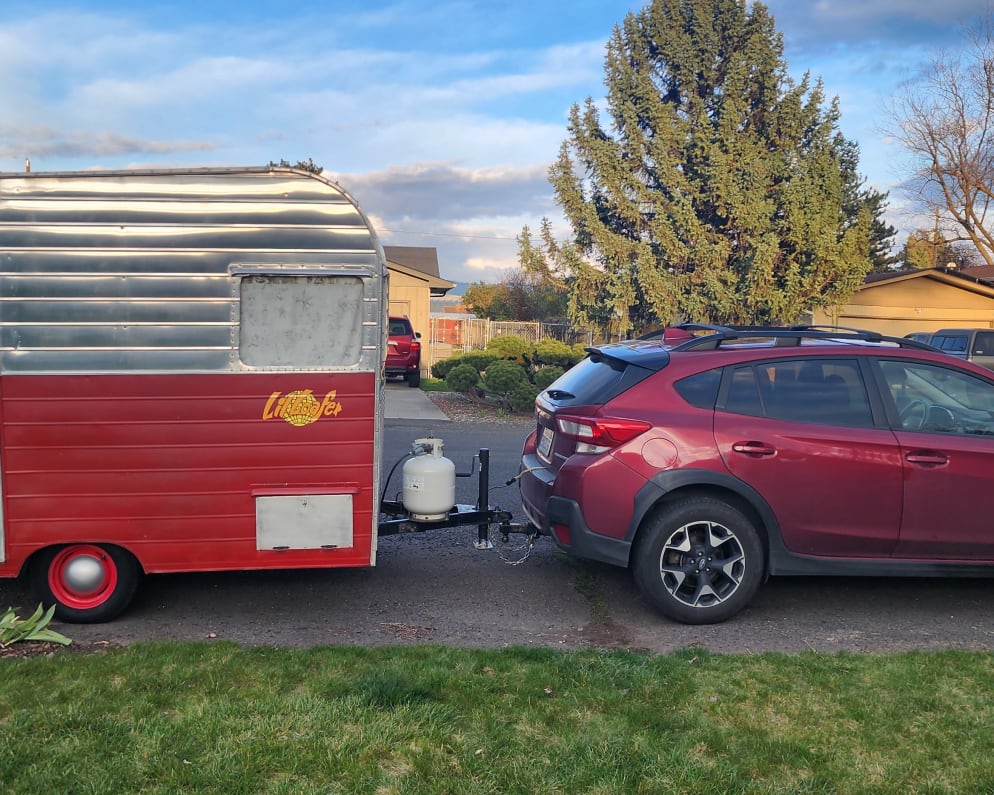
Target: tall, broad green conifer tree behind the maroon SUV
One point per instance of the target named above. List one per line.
(721, 190)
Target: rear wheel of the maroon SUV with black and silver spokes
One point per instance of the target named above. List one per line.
(699, 561)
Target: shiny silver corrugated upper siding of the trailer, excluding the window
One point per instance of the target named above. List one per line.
(132, 271)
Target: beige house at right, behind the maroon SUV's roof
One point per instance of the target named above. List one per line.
(923, 300)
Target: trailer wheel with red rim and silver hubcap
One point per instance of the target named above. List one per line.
(87, 583)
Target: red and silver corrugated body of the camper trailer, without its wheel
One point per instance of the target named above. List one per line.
(120, 308)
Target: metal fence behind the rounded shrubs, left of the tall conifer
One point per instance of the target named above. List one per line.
(458, 334)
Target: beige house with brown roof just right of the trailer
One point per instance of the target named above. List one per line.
(414, 280)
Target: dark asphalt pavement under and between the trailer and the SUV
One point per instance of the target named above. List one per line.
(435, 587)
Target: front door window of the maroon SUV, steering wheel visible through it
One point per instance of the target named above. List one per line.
(935, 399)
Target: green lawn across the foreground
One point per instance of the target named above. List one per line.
(218, 718)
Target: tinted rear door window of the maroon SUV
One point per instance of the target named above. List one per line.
(820, 391)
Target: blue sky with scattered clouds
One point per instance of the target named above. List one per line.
(441, 118)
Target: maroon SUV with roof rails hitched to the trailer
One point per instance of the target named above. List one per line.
(710, 464)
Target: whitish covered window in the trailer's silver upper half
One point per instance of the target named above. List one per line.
(300, 321)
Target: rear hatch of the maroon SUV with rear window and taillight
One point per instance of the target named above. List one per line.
(570, 415)
